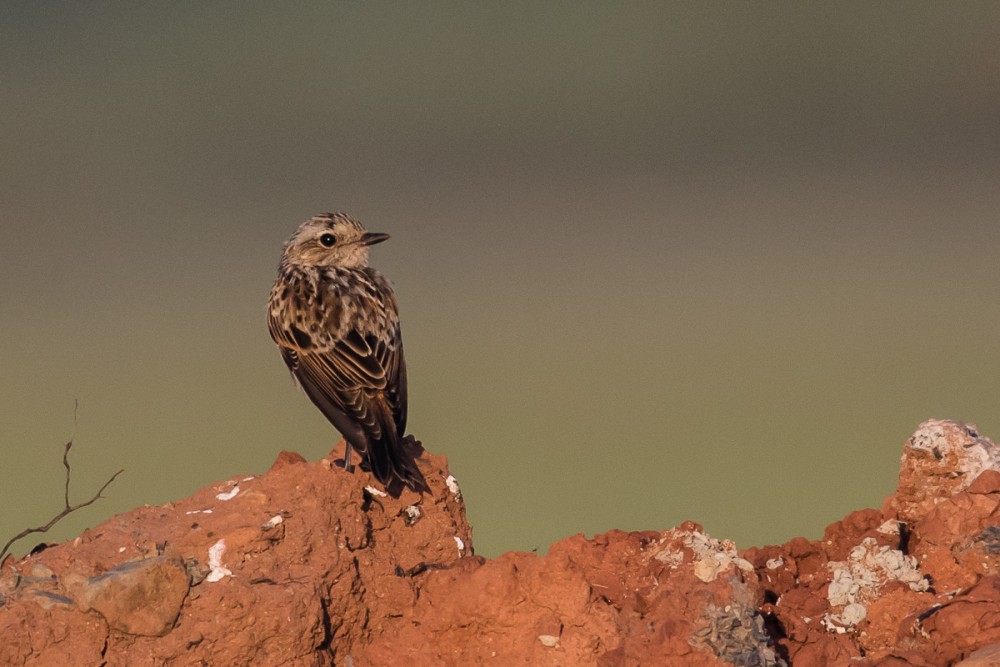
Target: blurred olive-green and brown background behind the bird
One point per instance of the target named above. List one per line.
(655, 261)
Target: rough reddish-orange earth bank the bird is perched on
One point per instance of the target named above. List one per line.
(310, 565)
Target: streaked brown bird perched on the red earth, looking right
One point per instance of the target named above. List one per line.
(336, 324)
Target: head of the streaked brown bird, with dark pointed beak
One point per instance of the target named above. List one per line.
(330, 240)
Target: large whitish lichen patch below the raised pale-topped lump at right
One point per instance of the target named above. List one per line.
(858, 581)
